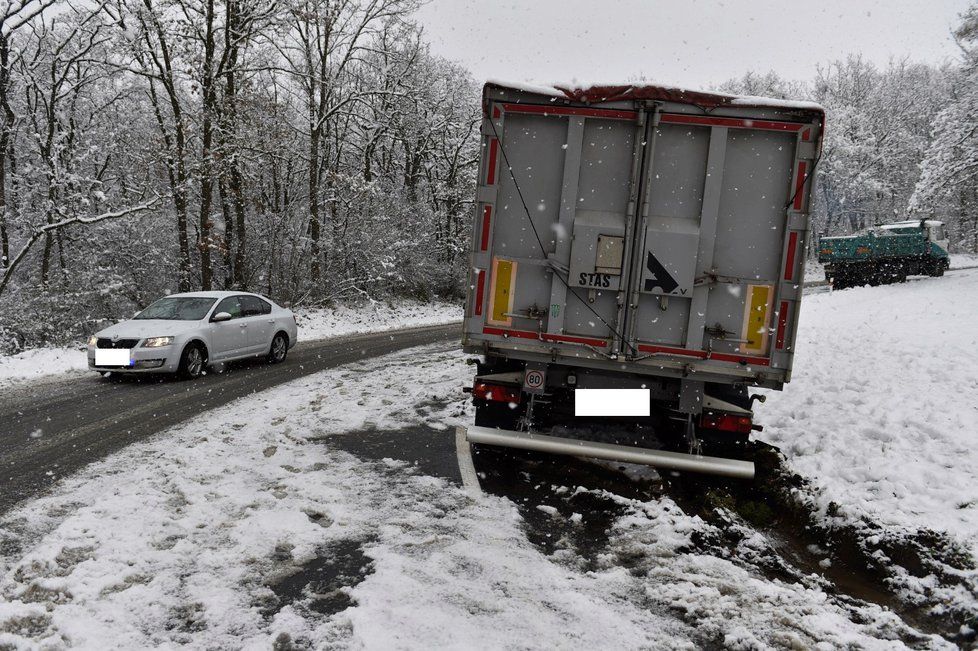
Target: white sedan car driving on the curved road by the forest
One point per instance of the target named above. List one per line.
(183, 333)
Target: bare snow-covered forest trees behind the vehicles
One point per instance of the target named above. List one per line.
(317, 151)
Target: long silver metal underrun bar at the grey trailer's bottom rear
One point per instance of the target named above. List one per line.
(574, 447)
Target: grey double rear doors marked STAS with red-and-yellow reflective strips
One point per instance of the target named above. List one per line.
(643, 231)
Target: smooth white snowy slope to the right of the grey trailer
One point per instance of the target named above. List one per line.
(881, 415)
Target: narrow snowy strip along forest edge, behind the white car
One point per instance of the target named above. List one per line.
(318, 323)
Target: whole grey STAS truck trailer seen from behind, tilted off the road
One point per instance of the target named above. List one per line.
(637, 257)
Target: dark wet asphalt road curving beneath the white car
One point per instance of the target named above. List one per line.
(50, 429)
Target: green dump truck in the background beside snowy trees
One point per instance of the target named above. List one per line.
(885, 254)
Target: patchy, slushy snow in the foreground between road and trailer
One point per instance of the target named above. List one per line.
(182, 540)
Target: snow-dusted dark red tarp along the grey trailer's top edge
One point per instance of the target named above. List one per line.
(600, 93)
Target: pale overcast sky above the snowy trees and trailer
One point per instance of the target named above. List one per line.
(685, 42)
